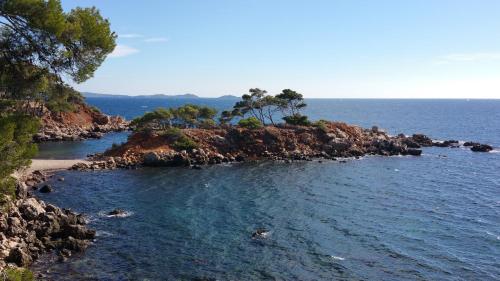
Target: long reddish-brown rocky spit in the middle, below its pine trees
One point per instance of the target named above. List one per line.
(236, 144)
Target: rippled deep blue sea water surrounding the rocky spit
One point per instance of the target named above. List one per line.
(434, 217)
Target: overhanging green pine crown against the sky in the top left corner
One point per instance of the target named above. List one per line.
(40, 32)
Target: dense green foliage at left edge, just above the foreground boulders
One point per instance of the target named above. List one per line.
(16, 147)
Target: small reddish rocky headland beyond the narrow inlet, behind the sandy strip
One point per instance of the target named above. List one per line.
(82, 123)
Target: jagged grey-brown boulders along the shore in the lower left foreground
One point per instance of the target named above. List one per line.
(29, 228)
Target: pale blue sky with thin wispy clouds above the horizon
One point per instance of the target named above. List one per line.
(322, 49)
